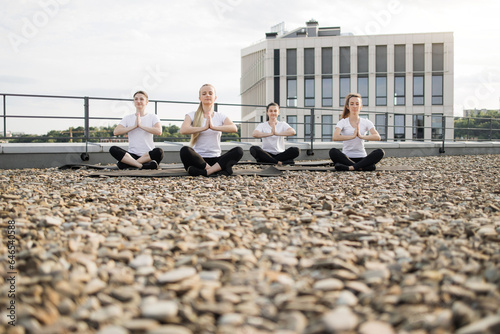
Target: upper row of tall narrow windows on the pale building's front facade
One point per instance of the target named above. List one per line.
(344, 84)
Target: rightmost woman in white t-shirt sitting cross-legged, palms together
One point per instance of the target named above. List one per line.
(352, 129)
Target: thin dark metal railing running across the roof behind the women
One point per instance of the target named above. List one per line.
(475, 129)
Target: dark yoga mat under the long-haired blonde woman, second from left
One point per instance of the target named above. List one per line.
(270, 171)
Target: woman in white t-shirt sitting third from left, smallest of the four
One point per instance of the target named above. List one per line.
(273, 135)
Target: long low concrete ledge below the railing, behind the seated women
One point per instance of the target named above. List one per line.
(46, 155)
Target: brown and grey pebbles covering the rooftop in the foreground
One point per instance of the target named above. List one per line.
(307, 252)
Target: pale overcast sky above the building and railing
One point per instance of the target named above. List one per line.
(112, 48)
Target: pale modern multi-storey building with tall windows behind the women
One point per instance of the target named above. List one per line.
(406, 81)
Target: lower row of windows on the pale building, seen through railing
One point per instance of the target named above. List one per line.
(381, 125)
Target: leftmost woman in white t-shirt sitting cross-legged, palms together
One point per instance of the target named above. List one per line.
(140, 128)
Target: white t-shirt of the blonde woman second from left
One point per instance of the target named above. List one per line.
(208, 143)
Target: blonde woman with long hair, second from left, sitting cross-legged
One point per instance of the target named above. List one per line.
(203, 156)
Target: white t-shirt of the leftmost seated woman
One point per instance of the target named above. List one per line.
(139, 141)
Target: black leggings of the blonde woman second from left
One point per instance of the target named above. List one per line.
(189, 157)
